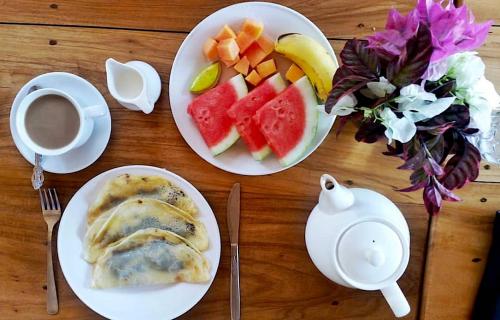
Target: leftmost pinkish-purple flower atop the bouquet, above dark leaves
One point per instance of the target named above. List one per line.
(398, 30)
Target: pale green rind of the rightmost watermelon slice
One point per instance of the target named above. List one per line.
(310, 103)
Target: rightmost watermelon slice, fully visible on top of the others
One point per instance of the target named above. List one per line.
(289, 121)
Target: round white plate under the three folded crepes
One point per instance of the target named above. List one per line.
(131, 303)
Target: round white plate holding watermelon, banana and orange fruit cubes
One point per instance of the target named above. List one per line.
(189, 60)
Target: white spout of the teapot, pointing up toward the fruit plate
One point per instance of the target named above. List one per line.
(334, 197)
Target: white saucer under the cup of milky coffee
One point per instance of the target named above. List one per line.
(85, 93)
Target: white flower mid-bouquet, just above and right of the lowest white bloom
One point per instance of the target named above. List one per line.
(416, 104)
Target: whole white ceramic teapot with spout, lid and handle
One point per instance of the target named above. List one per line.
(358, 238)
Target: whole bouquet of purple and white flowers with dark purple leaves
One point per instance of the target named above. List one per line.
(419, 84)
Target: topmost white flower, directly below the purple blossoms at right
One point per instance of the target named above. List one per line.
(466, 68)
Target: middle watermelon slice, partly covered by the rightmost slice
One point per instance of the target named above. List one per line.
(243, 111)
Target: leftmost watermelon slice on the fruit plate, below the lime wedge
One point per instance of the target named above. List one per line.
(209, 112)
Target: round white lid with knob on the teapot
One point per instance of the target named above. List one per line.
(371, 254)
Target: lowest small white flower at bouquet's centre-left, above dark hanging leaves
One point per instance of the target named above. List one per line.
(401, 129)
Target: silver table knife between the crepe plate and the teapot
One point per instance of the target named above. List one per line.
(233, 224)
